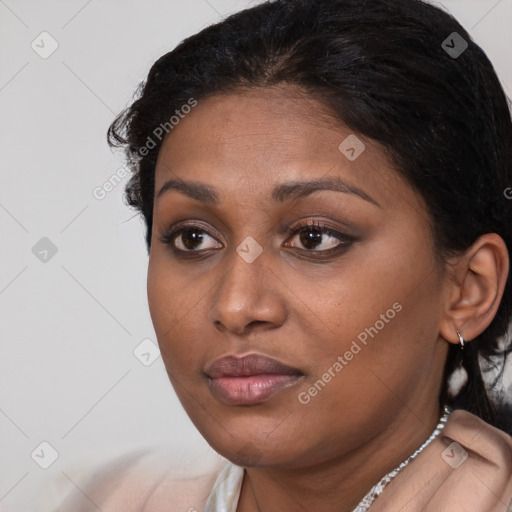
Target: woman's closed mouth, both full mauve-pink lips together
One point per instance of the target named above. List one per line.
(250, 379)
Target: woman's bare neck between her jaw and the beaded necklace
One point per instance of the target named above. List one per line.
(339, 483)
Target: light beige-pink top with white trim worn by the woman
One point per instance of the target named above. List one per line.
(467, 468)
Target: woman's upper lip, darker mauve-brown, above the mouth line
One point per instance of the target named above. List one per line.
(252, 364)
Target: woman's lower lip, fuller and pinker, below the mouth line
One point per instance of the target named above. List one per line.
(251, 389)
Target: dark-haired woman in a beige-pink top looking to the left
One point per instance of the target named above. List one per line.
(324, 188)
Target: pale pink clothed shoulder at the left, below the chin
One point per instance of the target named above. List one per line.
(144, 482)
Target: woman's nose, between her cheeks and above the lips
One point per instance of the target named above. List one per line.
(248, 297)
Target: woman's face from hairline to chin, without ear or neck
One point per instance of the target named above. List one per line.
(297, 249)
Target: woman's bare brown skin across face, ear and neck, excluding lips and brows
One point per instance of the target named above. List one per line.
(306, 311)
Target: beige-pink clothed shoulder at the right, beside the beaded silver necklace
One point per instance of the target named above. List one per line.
(467, 468)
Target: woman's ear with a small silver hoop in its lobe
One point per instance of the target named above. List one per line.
(474, 288)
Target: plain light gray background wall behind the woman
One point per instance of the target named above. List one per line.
(69, 324)
